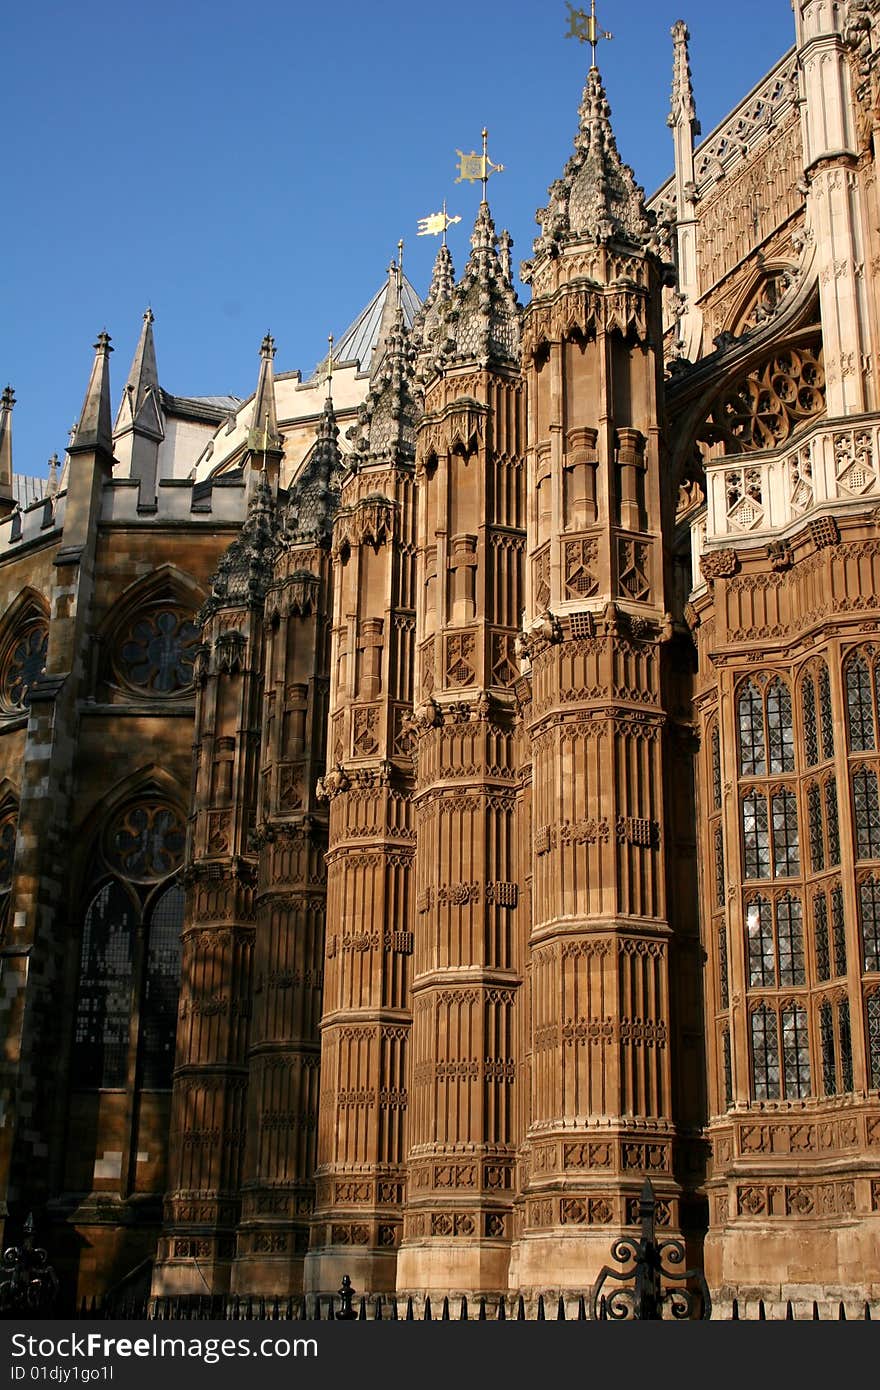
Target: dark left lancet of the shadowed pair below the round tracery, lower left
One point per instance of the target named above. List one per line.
(104, 1010)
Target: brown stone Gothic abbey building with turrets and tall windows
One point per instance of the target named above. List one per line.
(443, 790)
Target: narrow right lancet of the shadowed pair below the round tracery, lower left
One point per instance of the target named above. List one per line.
(162, 986)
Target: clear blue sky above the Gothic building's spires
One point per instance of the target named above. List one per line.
(251, 167)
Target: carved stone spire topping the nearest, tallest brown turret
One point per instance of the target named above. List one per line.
(597, 199)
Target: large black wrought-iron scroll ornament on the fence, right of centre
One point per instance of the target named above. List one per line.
(649, 1261)
